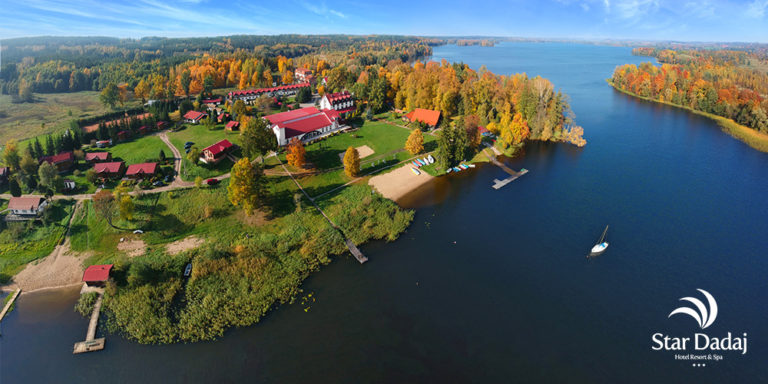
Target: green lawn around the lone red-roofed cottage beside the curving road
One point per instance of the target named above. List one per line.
(202, 137)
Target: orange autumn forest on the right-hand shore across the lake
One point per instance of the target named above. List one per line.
(728, 83)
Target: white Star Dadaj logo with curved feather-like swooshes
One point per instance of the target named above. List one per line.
(699, 348)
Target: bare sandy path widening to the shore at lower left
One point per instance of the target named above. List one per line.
(59, 269)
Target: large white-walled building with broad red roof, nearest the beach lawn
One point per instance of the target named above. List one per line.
(305, 124)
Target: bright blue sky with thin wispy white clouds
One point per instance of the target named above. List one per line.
(679, 20)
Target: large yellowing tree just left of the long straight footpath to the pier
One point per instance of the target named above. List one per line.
(245, 188)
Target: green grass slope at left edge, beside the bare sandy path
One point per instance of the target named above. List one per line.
(23, 242)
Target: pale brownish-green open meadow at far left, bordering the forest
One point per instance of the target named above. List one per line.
(55, 110)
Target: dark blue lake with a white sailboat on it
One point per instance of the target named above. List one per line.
(493, 285)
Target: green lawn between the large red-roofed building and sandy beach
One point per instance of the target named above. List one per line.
(385, 140)
